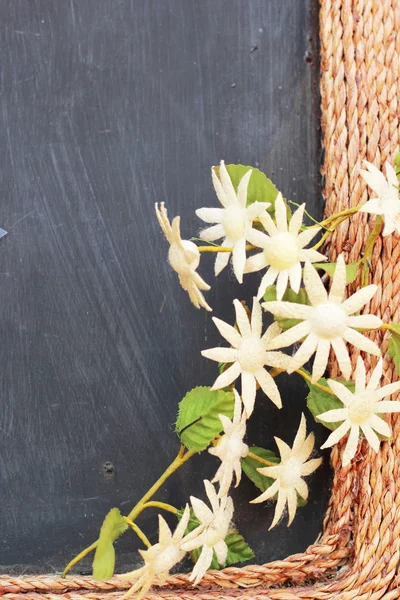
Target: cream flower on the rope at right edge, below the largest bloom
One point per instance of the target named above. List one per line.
(361, 410)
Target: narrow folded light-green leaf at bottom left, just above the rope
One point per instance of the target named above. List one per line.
(104, 559)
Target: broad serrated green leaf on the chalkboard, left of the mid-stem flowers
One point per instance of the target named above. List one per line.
(198, 422)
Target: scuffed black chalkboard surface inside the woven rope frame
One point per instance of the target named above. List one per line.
(106, 108)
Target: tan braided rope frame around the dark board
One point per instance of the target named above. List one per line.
(358, 554)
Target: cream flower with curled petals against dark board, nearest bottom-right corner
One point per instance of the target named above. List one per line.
(289, 472)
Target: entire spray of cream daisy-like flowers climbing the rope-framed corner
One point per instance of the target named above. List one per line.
(306, 312)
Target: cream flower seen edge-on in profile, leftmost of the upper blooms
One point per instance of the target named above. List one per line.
(184, 258)
